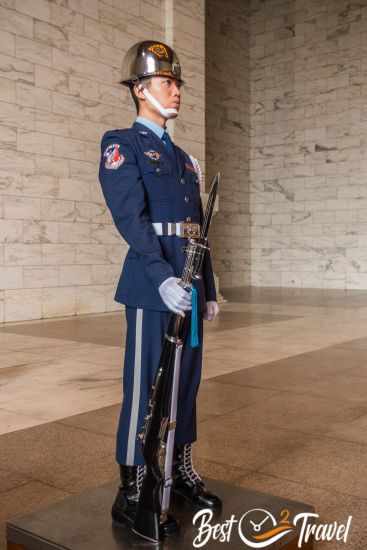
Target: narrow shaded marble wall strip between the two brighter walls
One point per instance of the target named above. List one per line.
(227, 136)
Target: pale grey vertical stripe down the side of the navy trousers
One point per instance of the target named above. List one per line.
(130, 453)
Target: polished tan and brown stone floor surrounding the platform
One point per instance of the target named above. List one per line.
(282, 405)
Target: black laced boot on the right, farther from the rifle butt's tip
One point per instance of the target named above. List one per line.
(188, 484)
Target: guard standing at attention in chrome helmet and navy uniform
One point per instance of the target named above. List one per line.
(152, 189)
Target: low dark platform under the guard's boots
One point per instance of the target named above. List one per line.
(83, 522)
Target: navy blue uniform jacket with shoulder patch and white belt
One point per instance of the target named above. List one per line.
(148, 186)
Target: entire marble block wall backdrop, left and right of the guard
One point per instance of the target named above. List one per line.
(282, 84)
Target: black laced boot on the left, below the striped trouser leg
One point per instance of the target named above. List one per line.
(124, 507)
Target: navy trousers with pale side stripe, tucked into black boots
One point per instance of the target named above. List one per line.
(144, 339)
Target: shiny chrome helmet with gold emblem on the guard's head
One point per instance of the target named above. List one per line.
(149, 58)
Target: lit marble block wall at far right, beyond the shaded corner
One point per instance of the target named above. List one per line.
(308, 155)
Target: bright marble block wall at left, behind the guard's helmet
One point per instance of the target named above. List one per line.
(60, 253)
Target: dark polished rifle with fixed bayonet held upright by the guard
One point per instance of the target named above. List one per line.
(152, 520)
